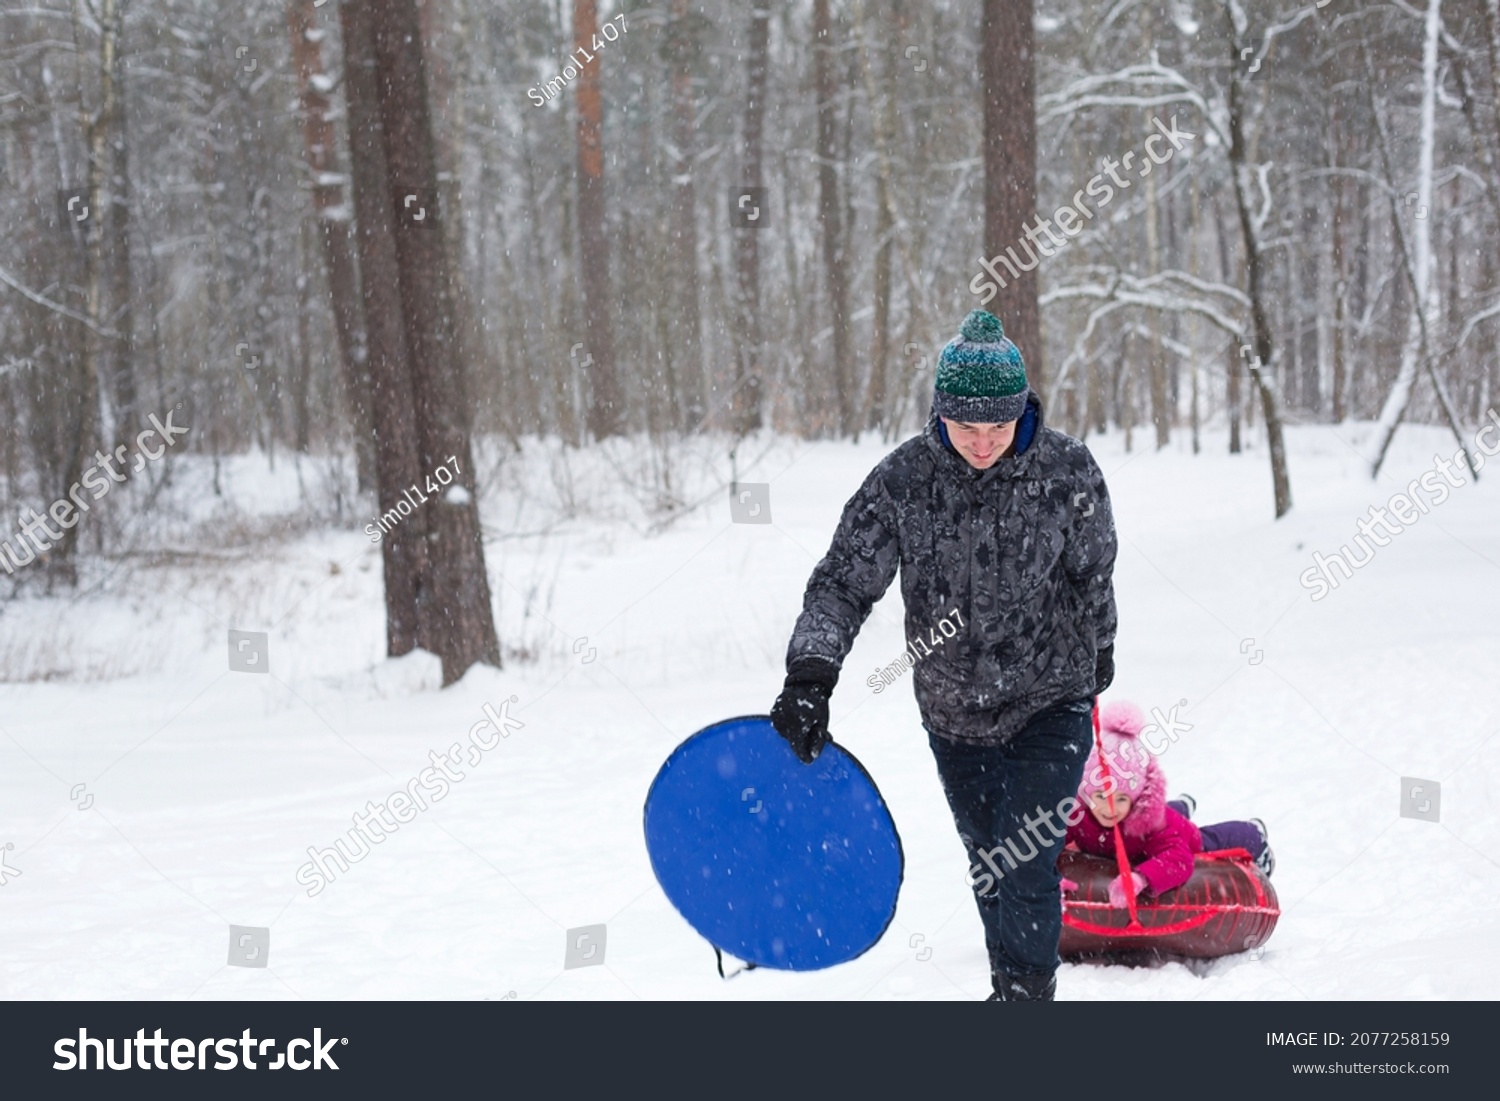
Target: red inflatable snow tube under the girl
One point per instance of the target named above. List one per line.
(1228, 907)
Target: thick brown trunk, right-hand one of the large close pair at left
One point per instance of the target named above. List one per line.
(457, 610)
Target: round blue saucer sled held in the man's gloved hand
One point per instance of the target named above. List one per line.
(773, 862)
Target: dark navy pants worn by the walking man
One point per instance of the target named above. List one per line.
(992, 790)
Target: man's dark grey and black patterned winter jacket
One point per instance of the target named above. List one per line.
(1024, 551)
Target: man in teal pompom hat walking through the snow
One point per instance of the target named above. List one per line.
(1009, 523)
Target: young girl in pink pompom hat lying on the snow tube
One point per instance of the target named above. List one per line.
(1160, 839)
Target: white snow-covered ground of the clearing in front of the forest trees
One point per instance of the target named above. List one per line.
(205, 788)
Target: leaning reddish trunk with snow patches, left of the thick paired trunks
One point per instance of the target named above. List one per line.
(334, 232)
